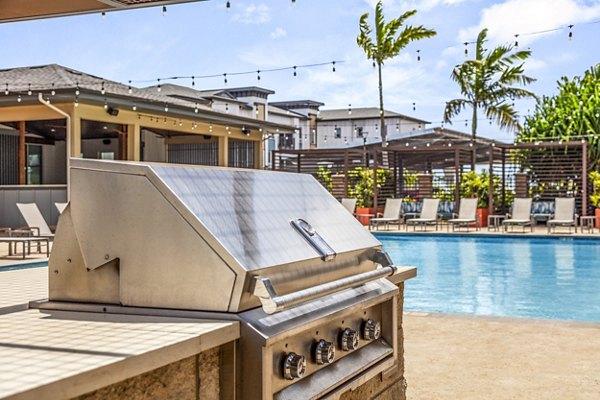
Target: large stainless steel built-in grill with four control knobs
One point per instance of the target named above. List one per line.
(272, 250)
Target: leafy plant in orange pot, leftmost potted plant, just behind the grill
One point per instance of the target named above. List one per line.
(360, 187)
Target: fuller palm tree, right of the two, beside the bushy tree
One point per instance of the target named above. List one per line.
(486, 83)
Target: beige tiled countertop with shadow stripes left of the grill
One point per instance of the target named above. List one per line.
(62, 354)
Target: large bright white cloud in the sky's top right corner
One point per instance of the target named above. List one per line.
(511, 17)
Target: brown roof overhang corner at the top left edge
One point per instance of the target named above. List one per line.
(19, 10)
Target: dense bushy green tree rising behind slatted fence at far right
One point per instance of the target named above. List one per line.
(572, 114)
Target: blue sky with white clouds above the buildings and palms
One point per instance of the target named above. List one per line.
(205, 38)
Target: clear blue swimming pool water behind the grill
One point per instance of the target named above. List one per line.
(501, 276)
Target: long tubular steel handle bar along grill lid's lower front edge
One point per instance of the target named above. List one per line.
(272, 303)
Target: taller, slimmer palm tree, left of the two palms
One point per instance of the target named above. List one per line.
(386, 44)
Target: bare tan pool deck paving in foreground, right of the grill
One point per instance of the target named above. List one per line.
(464, 357)
